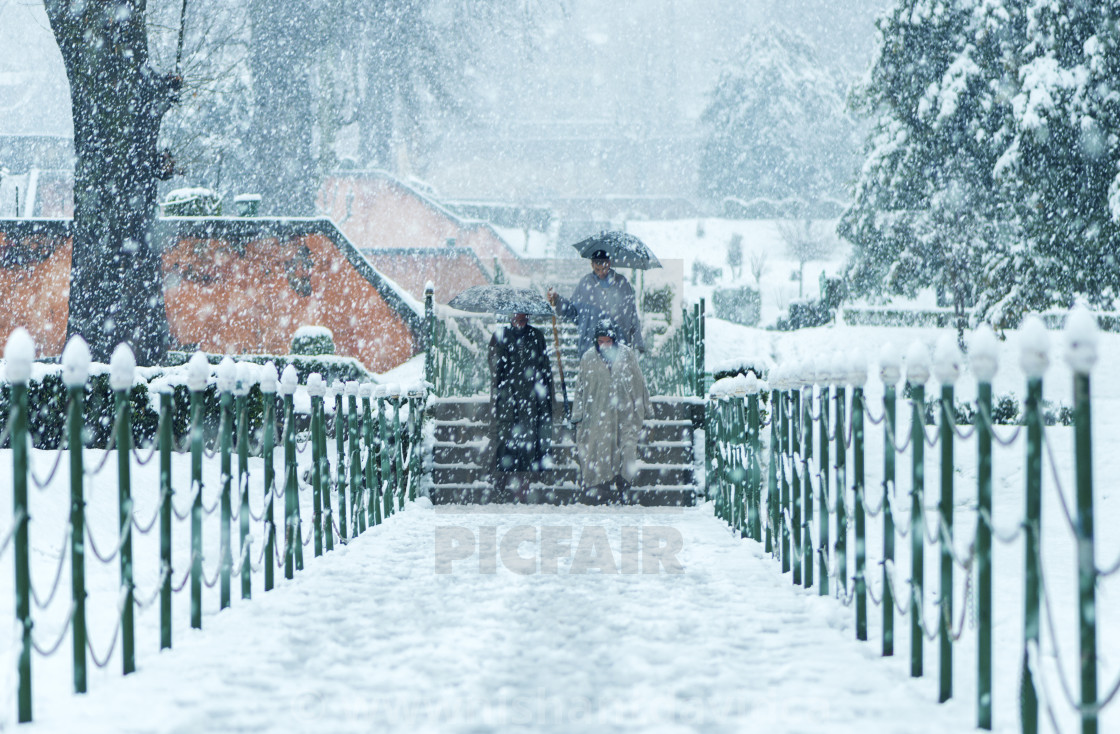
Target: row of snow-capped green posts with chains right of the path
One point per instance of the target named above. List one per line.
(817, 408)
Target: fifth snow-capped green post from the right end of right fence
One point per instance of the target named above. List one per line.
(918, 375)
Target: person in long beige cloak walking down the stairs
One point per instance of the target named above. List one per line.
(612, 402)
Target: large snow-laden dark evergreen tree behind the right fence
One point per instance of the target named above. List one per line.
(990, 171)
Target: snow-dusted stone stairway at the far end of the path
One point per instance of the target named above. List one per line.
(461, 459)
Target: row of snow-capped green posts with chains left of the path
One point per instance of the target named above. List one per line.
(377, 469)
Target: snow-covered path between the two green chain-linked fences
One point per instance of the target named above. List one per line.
(400, 631)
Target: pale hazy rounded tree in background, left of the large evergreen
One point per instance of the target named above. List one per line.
(776, 125)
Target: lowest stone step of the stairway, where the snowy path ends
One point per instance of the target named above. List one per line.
(564, 495)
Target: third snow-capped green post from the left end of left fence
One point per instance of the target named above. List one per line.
(123, 367)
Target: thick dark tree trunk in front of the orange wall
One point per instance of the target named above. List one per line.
(118, 103)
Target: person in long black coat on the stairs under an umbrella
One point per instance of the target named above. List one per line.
(521, 399)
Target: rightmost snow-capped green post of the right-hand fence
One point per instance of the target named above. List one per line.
(1081, 337)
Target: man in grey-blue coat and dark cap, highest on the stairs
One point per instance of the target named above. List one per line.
(603, 294)
